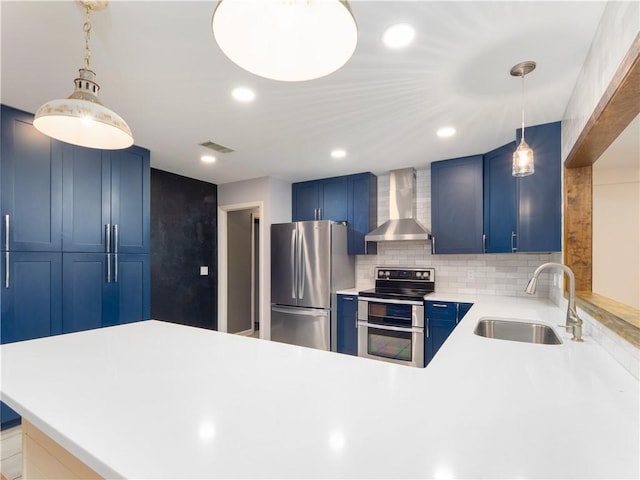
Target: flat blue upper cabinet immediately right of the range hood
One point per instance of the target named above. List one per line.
(456, 205)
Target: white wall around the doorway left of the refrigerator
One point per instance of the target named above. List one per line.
(275, 196)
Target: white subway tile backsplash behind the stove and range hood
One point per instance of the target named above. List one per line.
(487, 274)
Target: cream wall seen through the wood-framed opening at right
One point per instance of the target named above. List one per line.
(616, 233)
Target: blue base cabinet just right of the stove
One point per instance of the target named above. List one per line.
(440, 320)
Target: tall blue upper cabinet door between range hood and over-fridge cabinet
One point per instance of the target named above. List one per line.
(362, 212)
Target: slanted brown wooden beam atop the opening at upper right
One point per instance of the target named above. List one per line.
(617, 107)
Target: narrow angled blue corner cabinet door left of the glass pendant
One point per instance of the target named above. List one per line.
(499, 200)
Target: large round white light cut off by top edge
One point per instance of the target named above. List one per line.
(288, 40)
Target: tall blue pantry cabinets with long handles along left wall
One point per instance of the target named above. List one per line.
(75, 235)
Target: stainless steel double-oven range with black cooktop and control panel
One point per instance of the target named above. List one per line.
(391, 316)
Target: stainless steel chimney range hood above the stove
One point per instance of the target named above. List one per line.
(402, 207)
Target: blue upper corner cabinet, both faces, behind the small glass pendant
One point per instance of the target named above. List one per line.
(524, 214)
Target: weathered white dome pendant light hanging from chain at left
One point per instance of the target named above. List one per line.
(82, 119)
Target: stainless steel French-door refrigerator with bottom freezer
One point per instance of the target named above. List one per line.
(309, 263)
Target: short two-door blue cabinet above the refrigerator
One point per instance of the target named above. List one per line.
(324, 199)
